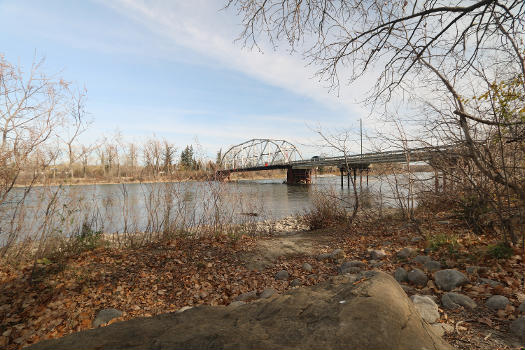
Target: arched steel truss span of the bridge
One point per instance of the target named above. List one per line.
(258, 153)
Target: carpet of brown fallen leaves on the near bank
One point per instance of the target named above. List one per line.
(186, 272)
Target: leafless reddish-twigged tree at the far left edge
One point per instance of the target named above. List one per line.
(30, 112)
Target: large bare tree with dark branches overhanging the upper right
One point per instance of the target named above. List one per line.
(458, 66)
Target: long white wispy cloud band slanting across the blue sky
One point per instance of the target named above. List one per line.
(201, 26)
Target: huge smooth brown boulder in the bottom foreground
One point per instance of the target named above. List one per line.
(374, 314)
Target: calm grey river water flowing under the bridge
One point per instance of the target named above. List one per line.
(149, 207)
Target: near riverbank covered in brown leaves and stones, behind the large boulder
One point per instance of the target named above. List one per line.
(54, 298)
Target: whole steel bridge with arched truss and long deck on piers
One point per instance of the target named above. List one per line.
(267, 154)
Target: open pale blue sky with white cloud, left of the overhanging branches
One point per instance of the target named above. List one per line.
(173, 69)
